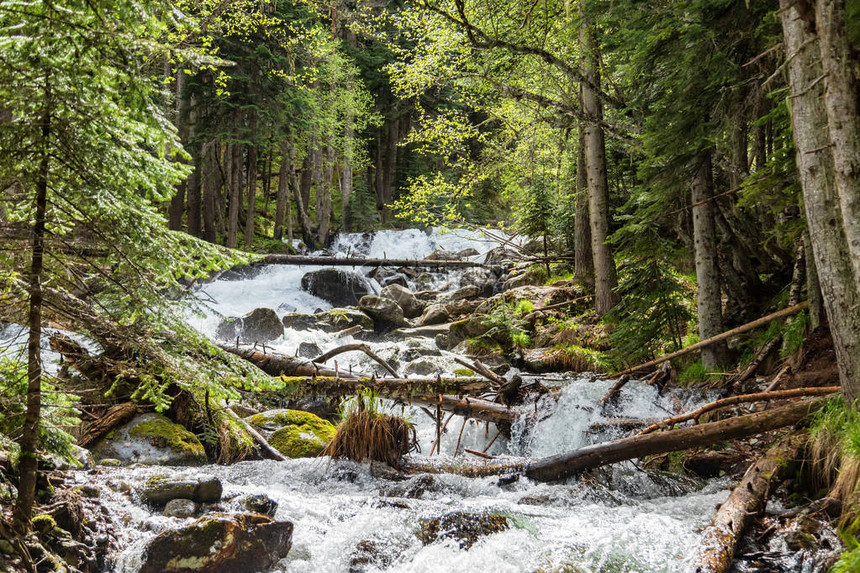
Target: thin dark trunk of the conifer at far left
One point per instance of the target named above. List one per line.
(30, 432)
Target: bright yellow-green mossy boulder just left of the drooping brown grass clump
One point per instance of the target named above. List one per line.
(294, 433)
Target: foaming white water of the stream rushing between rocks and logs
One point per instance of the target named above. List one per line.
(348, 519)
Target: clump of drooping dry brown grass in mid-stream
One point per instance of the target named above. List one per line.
(366, 432)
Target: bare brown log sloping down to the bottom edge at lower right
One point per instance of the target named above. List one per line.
(720, 539)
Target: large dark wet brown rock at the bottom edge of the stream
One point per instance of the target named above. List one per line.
(220, 543)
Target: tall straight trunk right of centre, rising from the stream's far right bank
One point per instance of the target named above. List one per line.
(605, 279)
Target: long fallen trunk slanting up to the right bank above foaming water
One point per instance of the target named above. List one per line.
(565, 465)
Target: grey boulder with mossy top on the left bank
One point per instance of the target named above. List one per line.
(151, 439)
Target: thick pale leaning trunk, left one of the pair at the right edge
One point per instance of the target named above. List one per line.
(825, 217)
